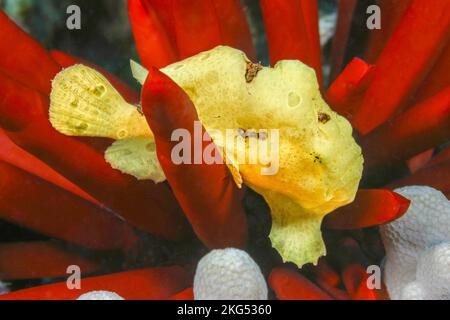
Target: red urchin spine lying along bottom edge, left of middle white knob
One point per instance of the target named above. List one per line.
(144, 284)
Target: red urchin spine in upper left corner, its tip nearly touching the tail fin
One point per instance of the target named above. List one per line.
(23, 58)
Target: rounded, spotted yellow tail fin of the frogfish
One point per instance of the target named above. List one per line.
(84, 103)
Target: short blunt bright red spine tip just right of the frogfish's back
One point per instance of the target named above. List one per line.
(347, 91)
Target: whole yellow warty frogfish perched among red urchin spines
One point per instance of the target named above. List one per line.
(319, 162)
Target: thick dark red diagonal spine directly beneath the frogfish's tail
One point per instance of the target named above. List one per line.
(146, 205)
